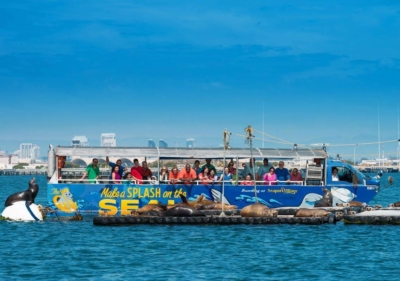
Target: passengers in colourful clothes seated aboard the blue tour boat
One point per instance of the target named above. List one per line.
(205, 174)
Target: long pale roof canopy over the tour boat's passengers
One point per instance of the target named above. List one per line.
(187, 153)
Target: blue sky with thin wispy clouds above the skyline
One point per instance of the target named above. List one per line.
(189, 69)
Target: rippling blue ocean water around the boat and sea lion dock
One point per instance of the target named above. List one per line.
(59, 250)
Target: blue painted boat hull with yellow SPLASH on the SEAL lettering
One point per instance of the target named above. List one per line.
(121, 199)
